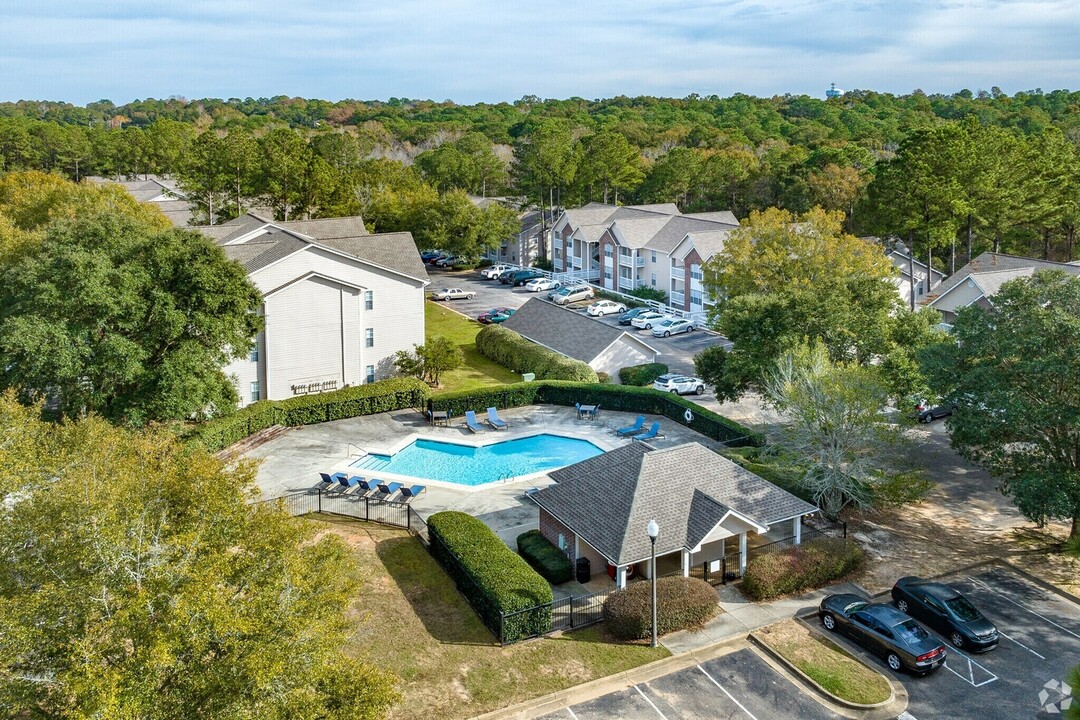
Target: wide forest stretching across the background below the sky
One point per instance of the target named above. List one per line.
(951, 175)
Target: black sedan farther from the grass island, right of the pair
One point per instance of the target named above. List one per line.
(947, 612)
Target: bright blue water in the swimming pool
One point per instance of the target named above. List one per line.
(464, 465)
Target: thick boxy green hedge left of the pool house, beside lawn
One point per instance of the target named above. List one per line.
(493, 578)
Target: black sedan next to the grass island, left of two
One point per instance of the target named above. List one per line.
(884, 631)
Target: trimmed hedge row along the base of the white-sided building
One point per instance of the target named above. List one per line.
(383, 397)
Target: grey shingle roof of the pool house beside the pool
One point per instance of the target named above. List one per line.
(610, 500)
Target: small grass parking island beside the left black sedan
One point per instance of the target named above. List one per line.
(826, 663)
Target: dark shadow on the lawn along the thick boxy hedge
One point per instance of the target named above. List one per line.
(431, 593)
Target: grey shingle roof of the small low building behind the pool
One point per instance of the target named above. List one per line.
(565, 331)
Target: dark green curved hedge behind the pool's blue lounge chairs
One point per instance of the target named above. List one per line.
(625, 399)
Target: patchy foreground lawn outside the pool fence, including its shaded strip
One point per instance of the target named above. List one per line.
(411, 622)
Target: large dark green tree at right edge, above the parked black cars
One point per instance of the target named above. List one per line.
(1012, 371)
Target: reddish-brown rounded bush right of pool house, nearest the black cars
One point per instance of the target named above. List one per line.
(802, 568)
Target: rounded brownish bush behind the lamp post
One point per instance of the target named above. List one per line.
(682, 603)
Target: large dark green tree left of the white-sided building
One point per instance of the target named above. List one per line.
(113, 317)
